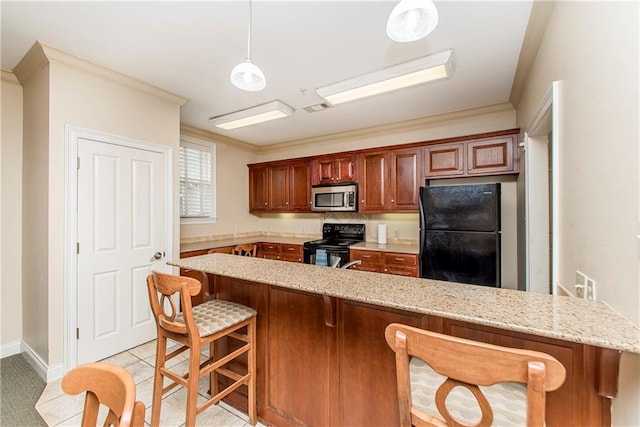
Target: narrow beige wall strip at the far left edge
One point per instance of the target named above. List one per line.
(11, 216)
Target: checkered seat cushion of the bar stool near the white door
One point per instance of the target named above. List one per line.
(215, 315)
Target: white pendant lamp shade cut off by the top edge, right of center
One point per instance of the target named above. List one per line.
(412, 20)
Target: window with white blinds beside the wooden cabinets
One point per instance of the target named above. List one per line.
(197, 185)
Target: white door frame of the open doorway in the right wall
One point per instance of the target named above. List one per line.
(545, 121)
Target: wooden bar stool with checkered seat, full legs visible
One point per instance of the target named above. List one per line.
(195, 328)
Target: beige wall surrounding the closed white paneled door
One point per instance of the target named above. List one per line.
(71, 92)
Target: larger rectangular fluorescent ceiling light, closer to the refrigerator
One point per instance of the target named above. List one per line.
(433, 67)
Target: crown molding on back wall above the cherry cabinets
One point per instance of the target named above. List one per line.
(391, 128)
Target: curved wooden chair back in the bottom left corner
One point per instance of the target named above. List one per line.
(109, 385)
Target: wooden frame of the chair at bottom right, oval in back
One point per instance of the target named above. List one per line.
(469, 364)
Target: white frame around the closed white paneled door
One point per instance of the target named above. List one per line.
(72, 136)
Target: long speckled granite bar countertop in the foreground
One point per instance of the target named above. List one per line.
(565, 318)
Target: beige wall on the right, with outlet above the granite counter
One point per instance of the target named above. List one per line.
(592, 48)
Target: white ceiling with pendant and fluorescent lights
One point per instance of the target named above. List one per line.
(189, 48)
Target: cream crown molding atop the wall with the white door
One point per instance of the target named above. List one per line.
(41, 54)
